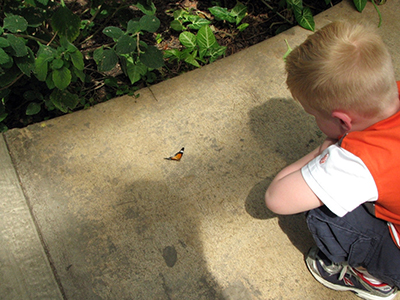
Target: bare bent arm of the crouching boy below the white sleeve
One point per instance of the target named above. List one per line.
(288, 193)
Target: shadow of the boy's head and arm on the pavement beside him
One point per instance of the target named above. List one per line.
(283, 129)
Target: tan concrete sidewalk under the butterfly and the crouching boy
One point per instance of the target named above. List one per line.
(91, 210)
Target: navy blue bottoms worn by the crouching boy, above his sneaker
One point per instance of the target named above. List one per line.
(358, 238)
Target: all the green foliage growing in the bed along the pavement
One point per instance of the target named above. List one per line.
(48, 67)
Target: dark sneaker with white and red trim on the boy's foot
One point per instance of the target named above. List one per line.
(342, 277)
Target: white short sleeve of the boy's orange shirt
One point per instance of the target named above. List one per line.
(340, 180)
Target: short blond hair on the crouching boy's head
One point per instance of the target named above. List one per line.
(343, 66)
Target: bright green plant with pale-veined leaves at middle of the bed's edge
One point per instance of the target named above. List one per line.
(202, 47)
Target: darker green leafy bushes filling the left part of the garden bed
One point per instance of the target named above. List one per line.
(43, 66)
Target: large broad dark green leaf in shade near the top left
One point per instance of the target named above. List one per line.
(66, 23)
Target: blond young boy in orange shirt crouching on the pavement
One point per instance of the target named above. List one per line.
(350, 185)
